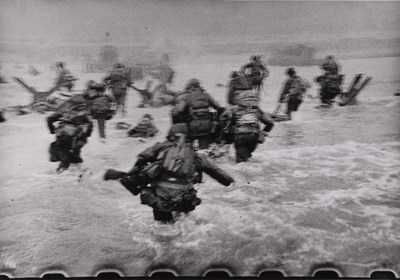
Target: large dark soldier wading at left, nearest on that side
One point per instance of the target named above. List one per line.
(73, 129)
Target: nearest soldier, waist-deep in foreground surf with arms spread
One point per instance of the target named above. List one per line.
(172, 168)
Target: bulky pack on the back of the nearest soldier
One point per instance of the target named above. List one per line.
(179, 160)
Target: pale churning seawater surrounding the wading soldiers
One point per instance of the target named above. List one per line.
(324, 188)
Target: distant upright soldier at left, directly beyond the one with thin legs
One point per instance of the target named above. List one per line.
(118, 80)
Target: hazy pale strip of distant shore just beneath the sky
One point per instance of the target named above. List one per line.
(349, 48)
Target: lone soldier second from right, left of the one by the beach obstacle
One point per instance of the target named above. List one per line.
(293, 92)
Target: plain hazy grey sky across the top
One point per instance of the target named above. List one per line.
(129, 21)
